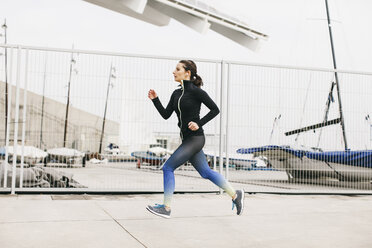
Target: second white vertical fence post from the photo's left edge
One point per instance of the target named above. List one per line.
(16, 119)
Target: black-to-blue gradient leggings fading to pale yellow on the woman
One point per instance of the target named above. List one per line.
(191, 150)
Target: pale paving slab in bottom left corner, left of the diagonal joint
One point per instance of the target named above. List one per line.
(62, 234)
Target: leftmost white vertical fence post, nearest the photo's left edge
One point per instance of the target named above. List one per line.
(8, 119)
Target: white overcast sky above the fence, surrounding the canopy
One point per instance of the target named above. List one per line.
(297, 28)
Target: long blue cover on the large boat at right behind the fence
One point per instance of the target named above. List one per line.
(357, 158)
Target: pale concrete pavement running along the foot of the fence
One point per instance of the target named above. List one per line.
(198, 220)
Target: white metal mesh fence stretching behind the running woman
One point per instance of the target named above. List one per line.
(81, 121)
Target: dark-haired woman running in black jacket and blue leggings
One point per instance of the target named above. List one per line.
(186, 102)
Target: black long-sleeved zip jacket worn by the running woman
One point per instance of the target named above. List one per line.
(186, 102)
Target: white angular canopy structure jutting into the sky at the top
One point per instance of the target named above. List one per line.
(194, 14)
